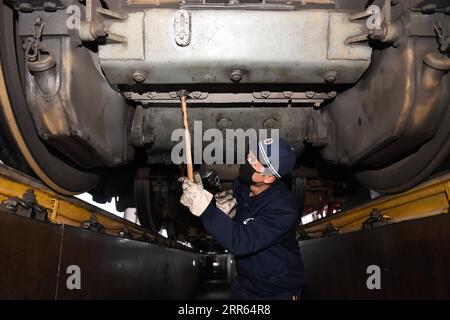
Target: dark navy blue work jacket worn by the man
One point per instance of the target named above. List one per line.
(262, 236)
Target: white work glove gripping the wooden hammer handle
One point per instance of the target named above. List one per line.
(194, 196)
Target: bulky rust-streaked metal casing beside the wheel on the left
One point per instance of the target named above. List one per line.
(71, 116)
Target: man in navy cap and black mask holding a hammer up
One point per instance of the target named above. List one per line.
(262, 234)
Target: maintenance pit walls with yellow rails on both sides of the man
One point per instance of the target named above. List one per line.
(402, 237)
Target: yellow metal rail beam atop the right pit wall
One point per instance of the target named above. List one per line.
(428, 199)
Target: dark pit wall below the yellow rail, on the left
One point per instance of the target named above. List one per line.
(36, 256)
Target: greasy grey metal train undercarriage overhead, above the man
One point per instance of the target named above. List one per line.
(90, 91)
